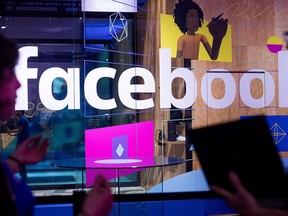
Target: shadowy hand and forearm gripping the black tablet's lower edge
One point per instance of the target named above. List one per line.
(243, 201)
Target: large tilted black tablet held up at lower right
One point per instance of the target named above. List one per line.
(247, 148)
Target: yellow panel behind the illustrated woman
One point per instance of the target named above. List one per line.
(170, 33)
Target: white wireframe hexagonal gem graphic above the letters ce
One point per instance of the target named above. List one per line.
(118, 26)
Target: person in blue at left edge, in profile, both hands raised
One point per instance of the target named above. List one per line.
(16, 196)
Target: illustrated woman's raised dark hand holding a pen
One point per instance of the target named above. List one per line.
(218, 28)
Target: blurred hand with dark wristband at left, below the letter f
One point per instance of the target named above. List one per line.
(32, 150)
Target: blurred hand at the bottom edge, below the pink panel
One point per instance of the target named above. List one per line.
(99, 201)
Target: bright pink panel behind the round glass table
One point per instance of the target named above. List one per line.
(117, 147)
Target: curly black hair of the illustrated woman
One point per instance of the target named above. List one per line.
(180, 13)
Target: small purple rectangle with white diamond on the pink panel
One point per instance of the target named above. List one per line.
(120, 147)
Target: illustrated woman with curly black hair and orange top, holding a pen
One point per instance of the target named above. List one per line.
(189, 18)
